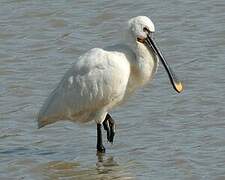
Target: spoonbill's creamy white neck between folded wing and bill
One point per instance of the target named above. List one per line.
(145, 65)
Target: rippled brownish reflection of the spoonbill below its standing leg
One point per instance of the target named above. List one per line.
(105, 168)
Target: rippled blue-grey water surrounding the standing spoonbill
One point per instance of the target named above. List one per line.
(160, 134)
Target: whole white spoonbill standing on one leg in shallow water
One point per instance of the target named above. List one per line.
(103, 78)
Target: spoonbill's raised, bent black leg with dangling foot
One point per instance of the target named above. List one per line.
(109, 126)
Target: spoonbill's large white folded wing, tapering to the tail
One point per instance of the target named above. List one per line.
(98, 79)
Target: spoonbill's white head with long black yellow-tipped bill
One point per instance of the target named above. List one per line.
(140, 30)
